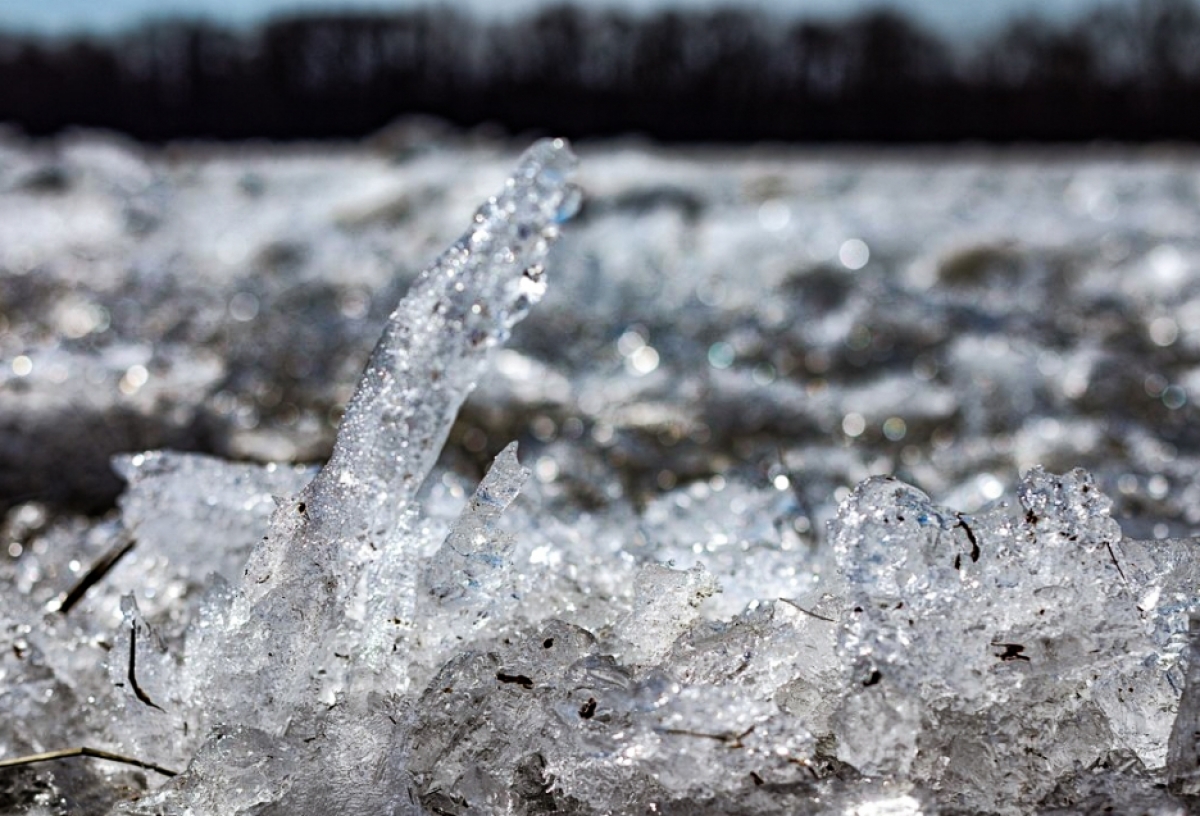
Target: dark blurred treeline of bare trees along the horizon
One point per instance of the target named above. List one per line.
(1130, 73)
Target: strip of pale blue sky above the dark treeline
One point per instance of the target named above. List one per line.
(957, 19)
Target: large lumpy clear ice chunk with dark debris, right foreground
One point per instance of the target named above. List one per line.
(967, 627)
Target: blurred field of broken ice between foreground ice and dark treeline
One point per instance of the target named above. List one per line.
(803, 317)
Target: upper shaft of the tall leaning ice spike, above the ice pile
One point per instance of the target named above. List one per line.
(435, 345)
